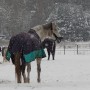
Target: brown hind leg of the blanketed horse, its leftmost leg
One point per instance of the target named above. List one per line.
(17, 67)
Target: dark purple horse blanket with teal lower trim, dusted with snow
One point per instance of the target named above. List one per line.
(28, 44)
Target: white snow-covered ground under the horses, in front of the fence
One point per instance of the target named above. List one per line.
(66, 72)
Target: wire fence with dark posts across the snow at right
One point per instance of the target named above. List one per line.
(80, 49)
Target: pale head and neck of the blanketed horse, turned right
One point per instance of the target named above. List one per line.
(48, 30)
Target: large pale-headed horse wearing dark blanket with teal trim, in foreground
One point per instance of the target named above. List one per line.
(21, 44)
